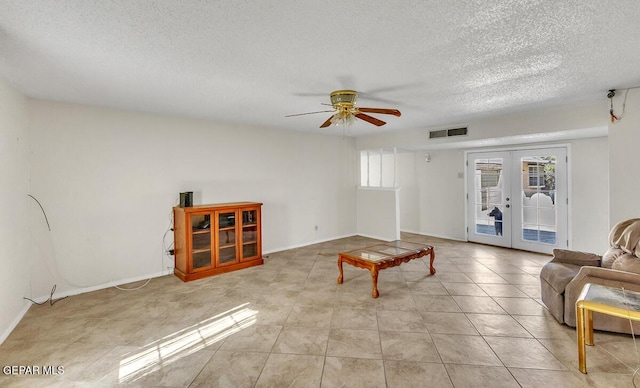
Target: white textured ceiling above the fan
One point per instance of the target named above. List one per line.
(253, 62)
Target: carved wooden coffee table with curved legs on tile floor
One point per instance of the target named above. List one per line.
(384, 255)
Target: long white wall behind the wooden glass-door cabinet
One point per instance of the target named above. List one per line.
(108, 180)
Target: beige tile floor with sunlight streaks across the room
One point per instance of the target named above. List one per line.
(478, 322)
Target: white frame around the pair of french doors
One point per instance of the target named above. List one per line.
(566, 244)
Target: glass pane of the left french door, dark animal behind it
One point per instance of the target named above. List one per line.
(488, 193)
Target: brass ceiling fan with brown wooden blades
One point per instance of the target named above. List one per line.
(346, 111)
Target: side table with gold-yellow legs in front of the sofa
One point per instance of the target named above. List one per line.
(617, 302)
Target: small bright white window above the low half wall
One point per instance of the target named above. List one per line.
(378, 168)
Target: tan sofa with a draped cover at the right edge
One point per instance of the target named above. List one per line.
(562, 279)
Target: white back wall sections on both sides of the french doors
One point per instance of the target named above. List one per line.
(436, 194)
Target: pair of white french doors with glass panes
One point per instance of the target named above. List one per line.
(518, 199)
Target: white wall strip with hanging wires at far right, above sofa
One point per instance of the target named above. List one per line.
(624, 174)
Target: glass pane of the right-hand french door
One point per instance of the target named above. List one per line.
(538, 187)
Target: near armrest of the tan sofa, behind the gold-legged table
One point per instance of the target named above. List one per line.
(595, 275)
